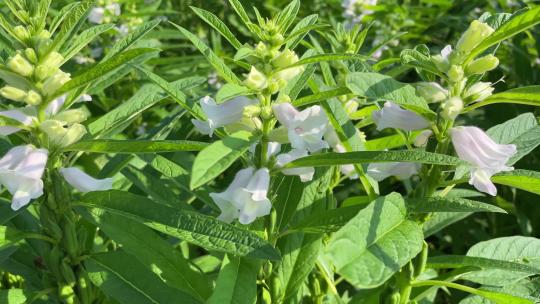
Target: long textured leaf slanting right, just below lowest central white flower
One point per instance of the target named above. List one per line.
(191, 227)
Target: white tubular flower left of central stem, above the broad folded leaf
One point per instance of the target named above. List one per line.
(220, 115)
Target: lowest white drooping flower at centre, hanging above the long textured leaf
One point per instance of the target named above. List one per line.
(246, 197)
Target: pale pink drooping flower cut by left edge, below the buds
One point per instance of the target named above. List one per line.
(21, 170)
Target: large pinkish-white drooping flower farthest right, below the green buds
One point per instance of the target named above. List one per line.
(485, 156)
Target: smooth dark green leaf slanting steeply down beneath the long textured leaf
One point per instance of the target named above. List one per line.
(155, 253)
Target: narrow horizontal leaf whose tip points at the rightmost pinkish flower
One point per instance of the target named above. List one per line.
(416, 156)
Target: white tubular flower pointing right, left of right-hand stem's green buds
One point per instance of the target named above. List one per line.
(393, 116)
